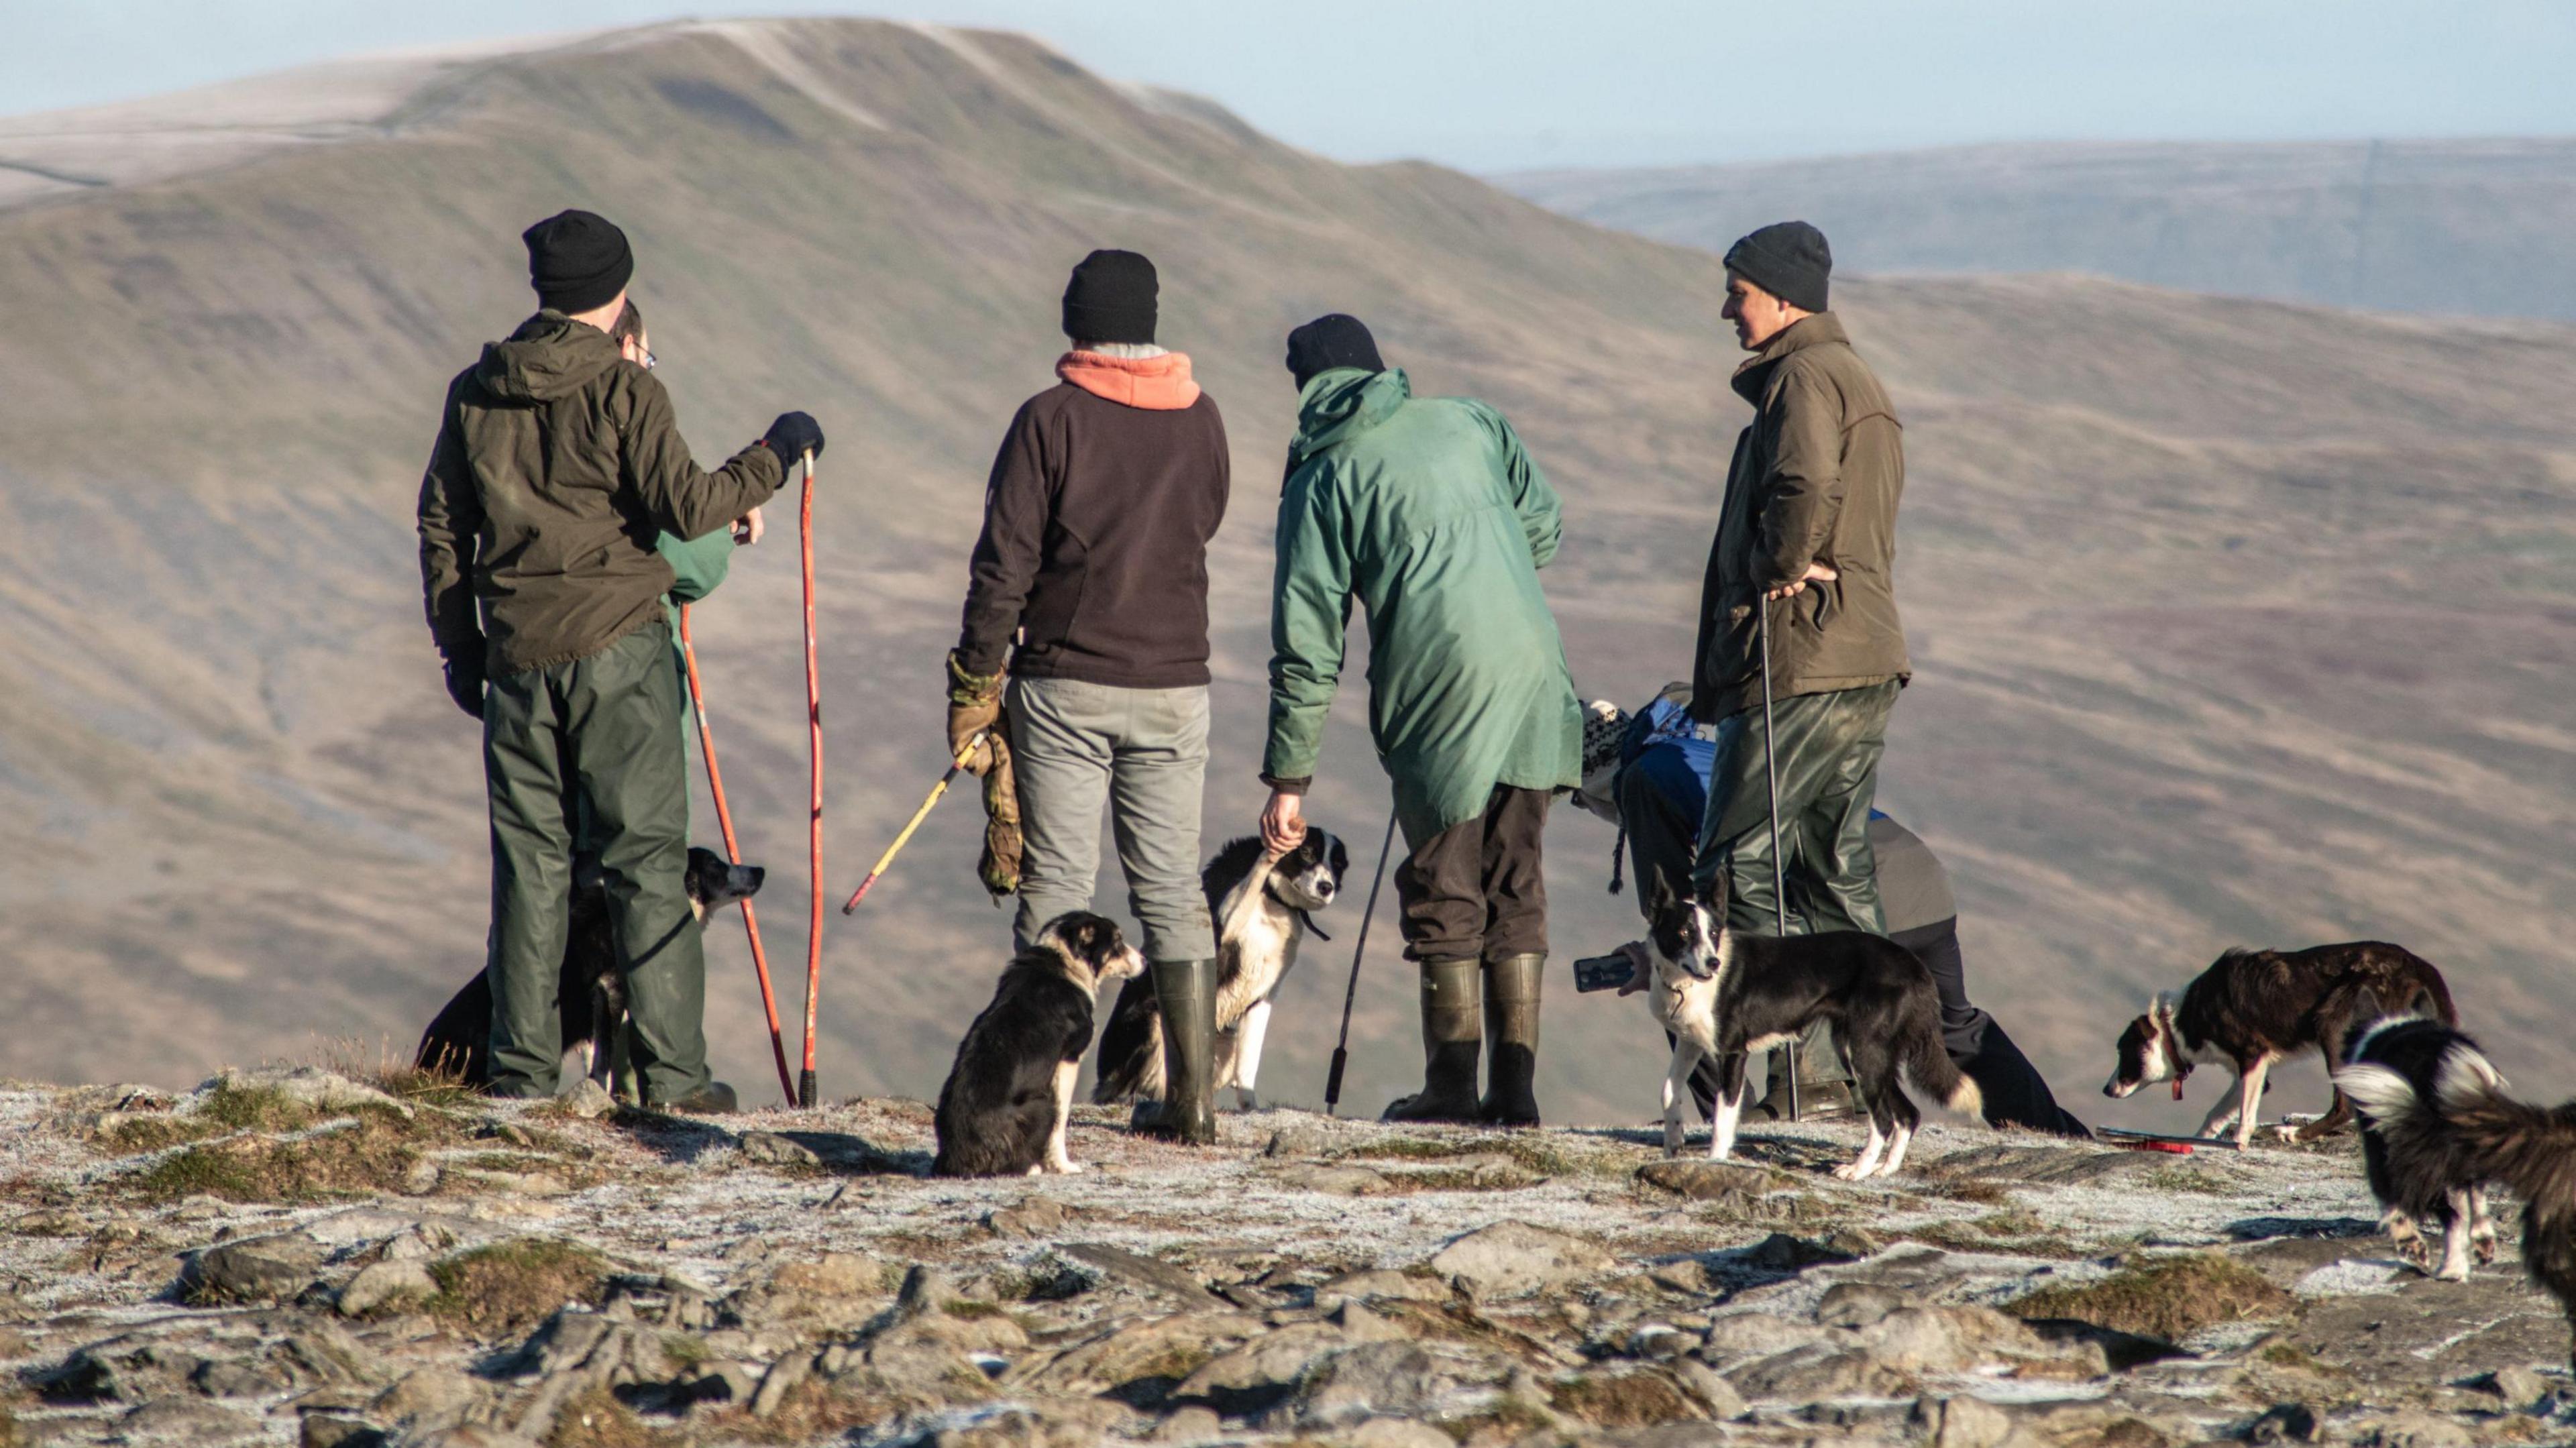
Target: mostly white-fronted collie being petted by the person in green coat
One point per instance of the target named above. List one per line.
(1261, 919)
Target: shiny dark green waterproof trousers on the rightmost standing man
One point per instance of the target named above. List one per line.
(1828, 751)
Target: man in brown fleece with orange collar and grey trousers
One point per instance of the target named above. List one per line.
(1088, 633)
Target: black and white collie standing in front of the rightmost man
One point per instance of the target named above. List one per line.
(1725, 993)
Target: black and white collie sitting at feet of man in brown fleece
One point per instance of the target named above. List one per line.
(1011, 1089)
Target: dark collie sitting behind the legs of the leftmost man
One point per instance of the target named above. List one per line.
(589, 993)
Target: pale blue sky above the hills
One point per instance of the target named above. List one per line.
(1526, 84)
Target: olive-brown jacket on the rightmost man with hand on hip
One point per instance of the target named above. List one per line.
(1815, 478)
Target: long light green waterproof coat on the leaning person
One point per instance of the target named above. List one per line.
(1434, 517)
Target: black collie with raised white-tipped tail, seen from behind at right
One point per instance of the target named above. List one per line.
(2402, 1071)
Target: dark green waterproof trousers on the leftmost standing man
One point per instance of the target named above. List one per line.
(594, 738)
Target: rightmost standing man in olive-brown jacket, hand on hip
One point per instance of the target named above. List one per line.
(1807, 537)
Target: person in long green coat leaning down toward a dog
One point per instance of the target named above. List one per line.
(1431, 514)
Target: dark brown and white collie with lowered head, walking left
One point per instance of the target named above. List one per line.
(2255, 1009)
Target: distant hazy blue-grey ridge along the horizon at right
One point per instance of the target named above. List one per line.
(2485, 228)
